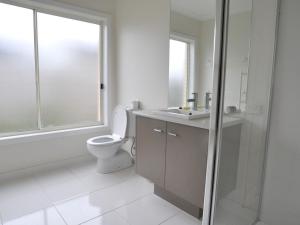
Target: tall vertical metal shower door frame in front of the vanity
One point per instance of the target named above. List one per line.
(216, 114)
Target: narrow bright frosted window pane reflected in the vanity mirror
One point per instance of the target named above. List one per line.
(178, 73)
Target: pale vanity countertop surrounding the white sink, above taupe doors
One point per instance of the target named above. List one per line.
(200, 123)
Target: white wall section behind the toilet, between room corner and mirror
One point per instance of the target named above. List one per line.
(142, 43)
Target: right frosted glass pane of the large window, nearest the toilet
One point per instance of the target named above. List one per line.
(69, 71)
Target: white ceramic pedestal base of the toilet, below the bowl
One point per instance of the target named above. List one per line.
(121, 160)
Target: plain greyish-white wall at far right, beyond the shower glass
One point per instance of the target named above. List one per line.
(281, 198)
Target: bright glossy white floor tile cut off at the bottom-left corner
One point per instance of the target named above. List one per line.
(47, 216)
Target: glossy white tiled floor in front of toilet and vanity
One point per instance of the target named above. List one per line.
(71, 192)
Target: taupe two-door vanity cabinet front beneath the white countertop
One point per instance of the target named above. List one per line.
(173, 156)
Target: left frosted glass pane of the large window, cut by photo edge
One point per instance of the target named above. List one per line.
(17, 70)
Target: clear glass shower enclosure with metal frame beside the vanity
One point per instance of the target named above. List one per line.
(243, 68)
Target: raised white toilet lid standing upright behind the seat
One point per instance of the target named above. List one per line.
(119, 121)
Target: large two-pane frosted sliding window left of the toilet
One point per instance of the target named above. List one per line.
(50, 71)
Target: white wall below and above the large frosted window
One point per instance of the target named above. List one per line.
(25, 153)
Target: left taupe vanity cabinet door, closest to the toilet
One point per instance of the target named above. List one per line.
(151, 149)
